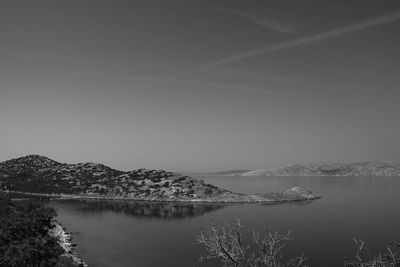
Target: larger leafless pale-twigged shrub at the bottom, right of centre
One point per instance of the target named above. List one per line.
(264, 250)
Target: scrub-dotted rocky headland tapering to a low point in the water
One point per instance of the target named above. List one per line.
(39, 175)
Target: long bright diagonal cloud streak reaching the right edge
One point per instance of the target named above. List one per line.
(384, 19)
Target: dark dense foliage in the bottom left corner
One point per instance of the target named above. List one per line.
(24, 238)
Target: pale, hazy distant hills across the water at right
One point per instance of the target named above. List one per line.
(334, 169)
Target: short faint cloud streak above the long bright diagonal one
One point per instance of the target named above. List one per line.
(262, 22)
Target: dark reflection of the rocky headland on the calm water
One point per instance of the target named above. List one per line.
(139, 209)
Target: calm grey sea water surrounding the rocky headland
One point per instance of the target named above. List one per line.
(127, 233)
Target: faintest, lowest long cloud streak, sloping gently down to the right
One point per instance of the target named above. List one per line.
(209, 84)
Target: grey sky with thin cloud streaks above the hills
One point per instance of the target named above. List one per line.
(200, 85)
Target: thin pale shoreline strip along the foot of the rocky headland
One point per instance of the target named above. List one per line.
(248, 199)
